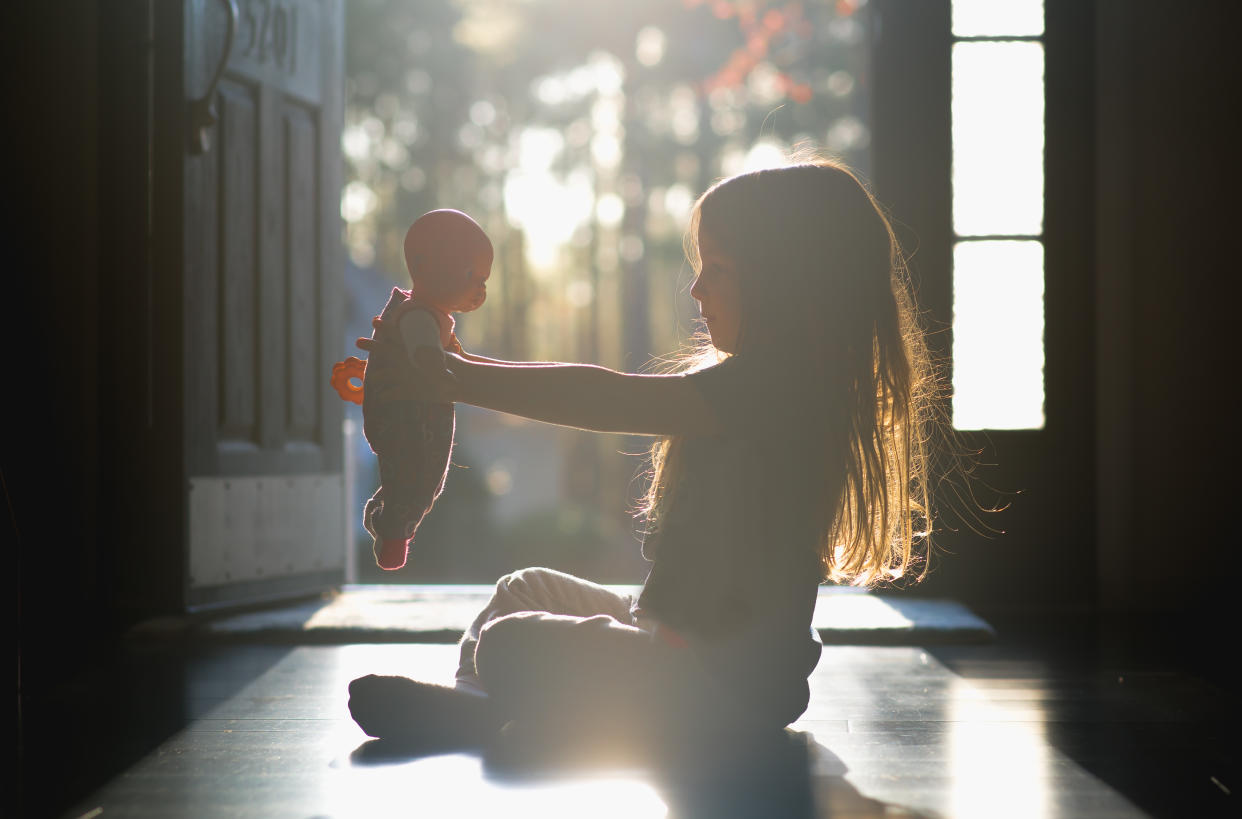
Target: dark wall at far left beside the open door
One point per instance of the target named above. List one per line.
(91, 454)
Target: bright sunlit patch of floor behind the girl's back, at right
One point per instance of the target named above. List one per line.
(909, 733)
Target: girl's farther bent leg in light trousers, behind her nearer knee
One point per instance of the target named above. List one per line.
(537, 590)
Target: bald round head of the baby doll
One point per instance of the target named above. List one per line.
(449, 258)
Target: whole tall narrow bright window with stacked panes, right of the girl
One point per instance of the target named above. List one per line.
(998, 214)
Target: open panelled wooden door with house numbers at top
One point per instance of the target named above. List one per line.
(263, 267)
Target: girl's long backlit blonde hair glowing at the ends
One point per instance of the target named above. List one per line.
(825, 293)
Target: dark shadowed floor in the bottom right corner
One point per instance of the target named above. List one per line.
(1145, 703)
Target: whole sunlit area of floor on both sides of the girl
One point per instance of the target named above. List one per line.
(889, 729)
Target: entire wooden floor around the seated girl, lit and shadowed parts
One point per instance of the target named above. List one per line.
(1056, 723)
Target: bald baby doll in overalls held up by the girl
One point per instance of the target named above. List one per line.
(449, 258)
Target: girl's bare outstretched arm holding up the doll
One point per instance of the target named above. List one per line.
(582, 396)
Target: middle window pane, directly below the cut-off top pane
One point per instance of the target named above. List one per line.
(998, 139)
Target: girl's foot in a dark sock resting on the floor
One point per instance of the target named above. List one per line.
(423, 714)
